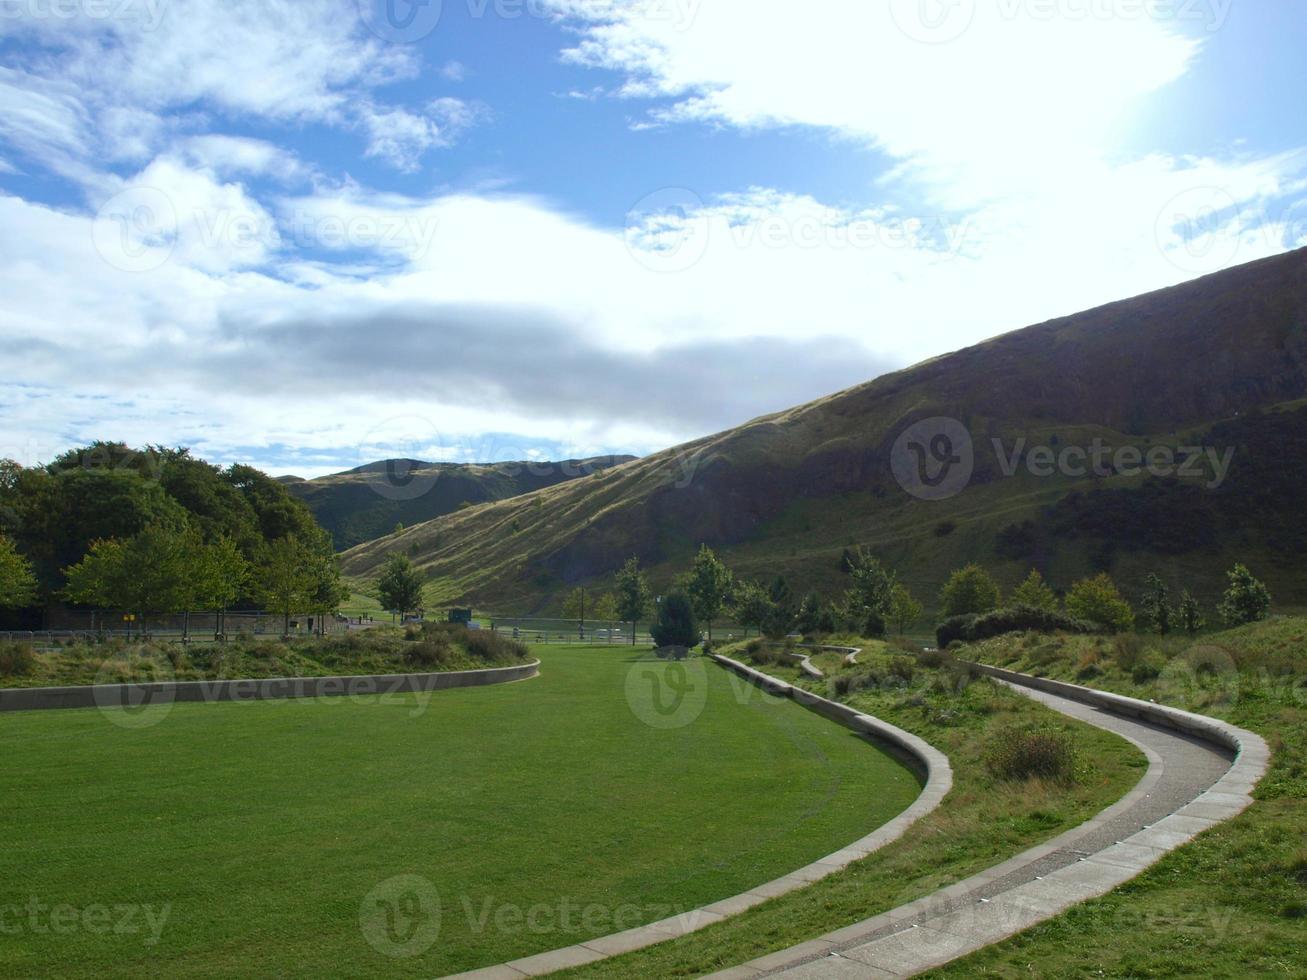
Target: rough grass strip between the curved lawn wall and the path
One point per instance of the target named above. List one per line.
(981, 824)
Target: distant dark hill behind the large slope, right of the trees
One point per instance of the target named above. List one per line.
(368, 502)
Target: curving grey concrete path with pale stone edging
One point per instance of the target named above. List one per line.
(1190, 787)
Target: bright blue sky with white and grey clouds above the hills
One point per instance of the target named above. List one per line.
(306, 235)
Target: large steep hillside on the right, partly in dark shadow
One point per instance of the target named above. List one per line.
(1219, 364)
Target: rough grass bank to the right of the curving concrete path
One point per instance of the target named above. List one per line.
(1234, 902)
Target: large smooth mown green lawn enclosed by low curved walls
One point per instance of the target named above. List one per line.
(246, 837)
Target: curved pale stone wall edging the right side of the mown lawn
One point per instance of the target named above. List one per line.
(921, 755)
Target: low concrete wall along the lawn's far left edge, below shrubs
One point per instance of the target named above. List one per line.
(263, 689)
